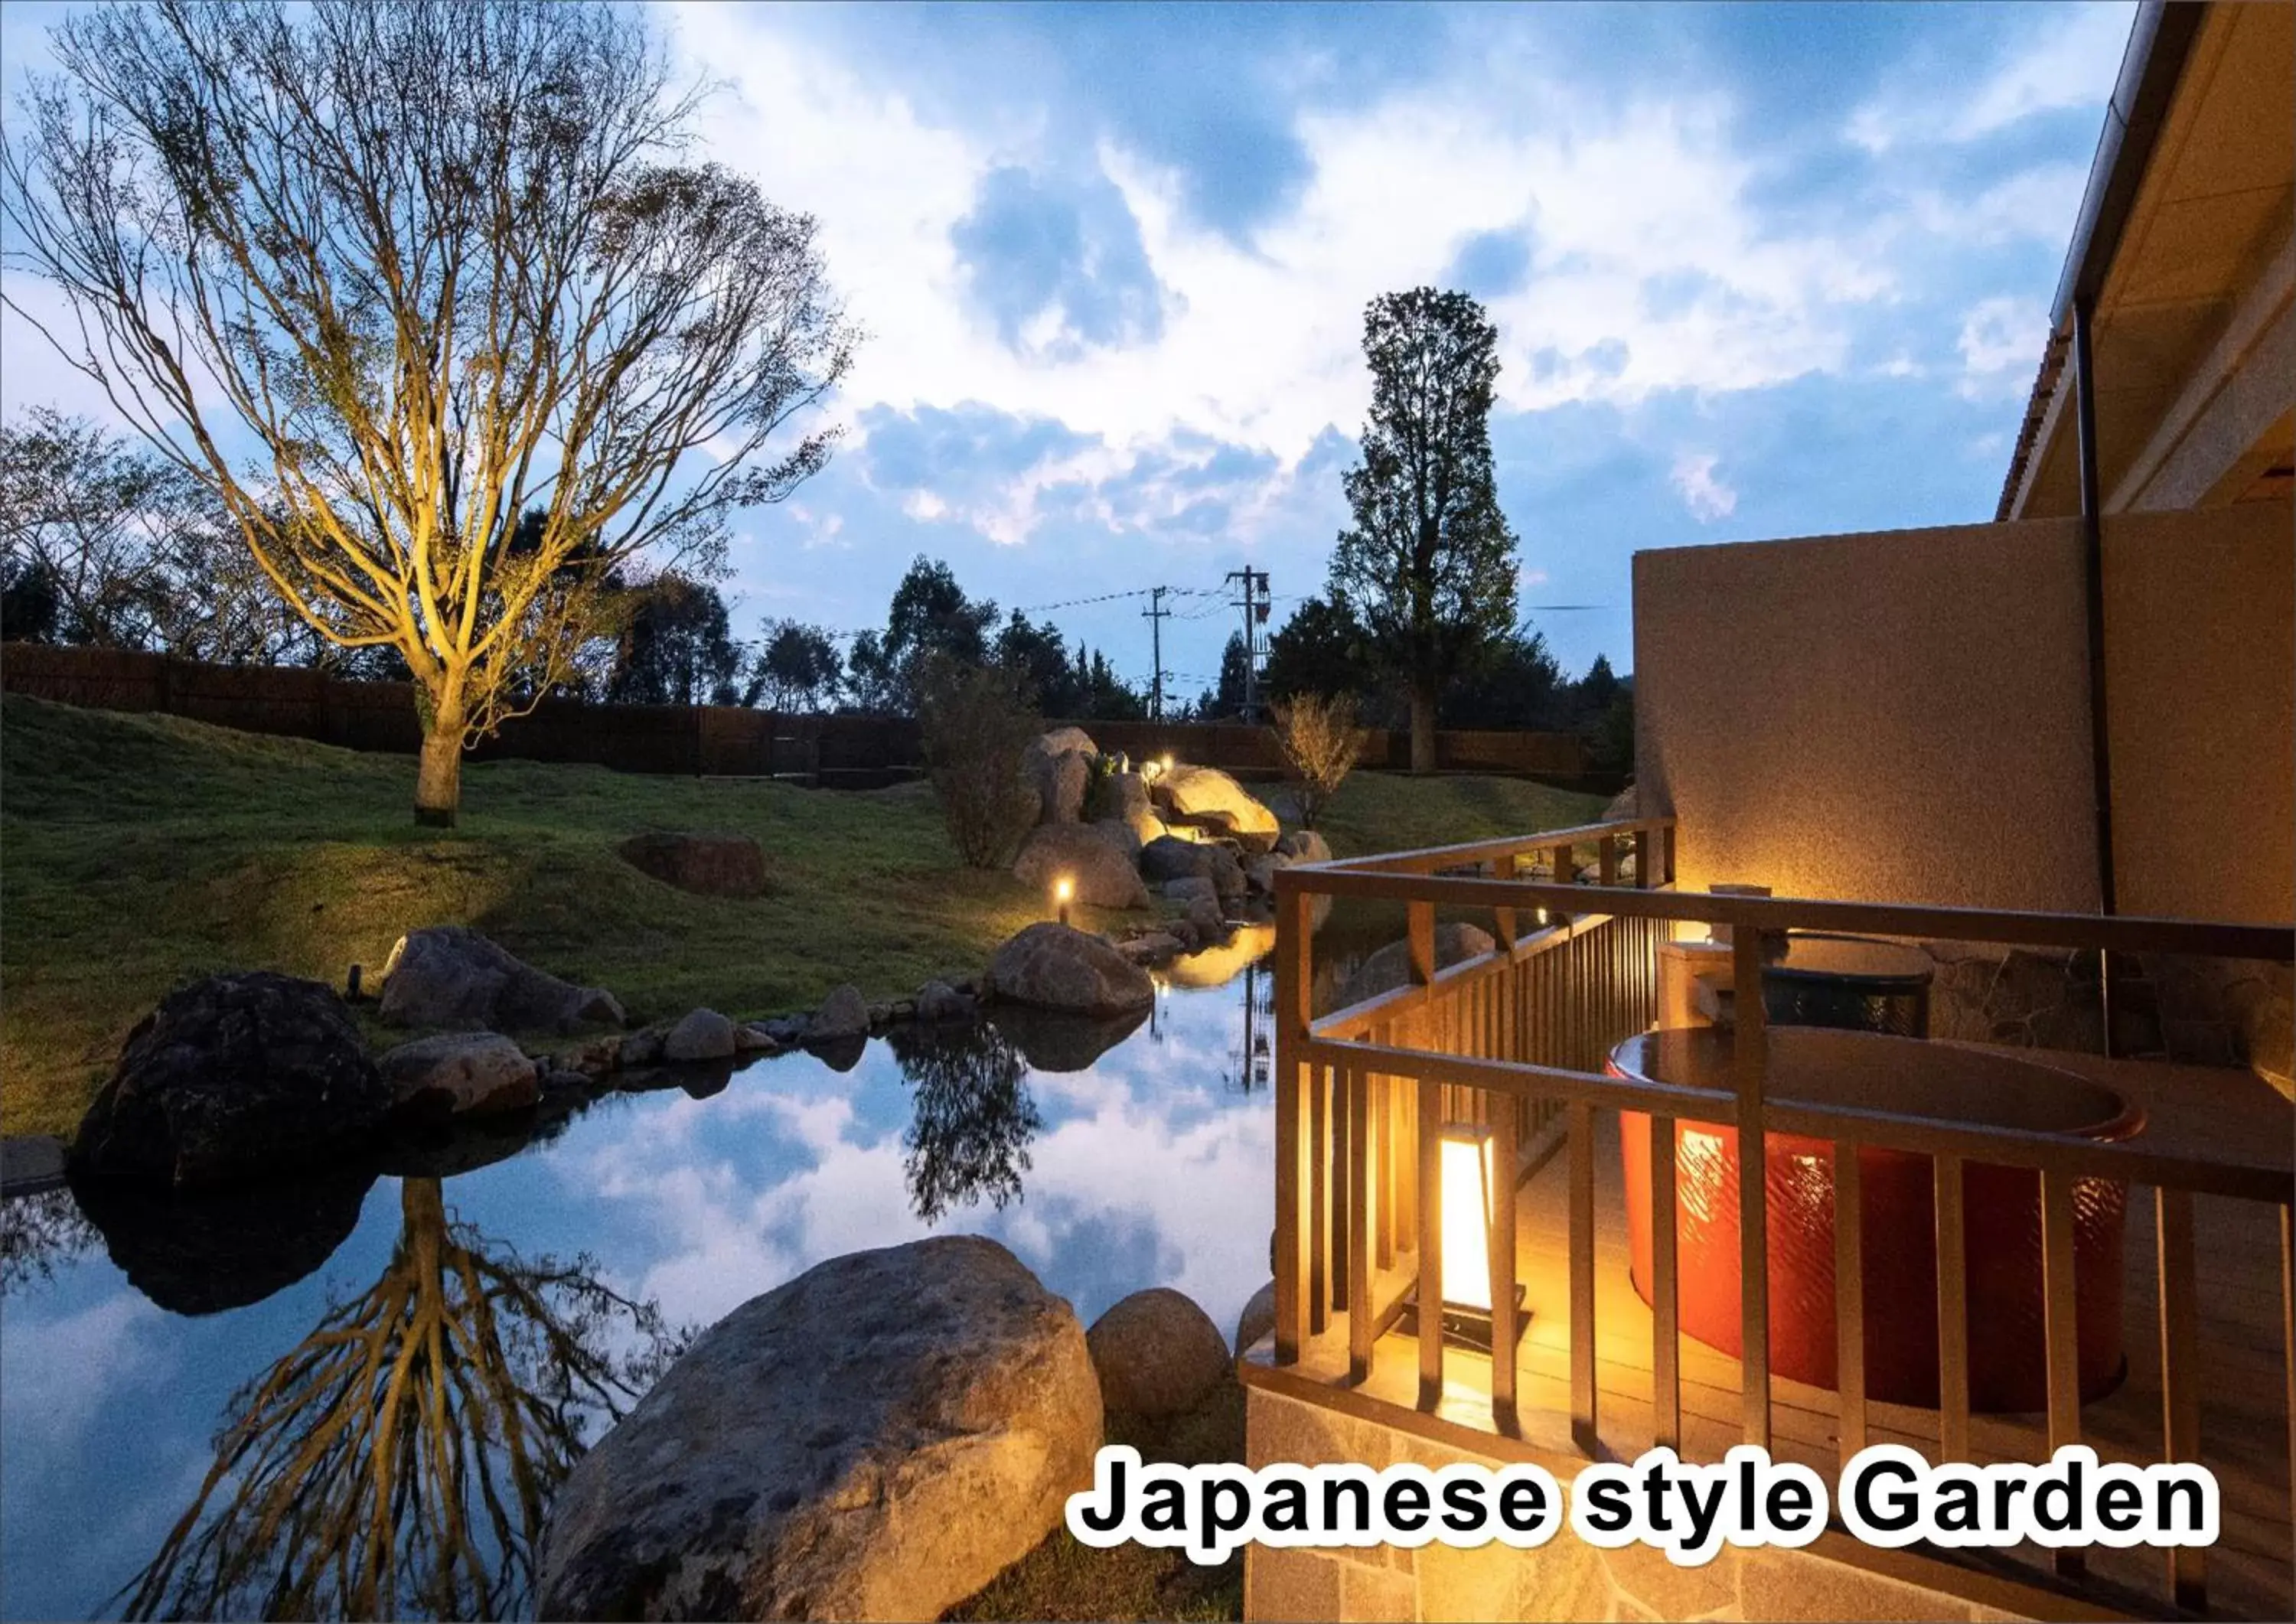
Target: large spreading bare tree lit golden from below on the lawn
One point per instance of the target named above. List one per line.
(391, 274)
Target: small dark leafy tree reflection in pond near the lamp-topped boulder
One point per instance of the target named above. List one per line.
(975, 1120)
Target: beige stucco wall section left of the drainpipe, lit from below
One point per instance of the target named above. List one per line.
(1879, 718)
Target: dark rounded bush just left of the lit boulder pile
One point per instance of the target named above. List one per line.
(977, 729)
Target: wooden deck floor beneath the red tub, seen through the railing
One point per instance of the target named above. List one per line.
(2244, 1428)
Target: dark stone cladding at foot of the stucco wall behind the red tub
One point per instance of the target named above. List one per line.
(2198, 1012)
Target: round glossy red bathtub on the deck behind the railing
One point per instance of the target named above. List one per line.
(2001, 1212)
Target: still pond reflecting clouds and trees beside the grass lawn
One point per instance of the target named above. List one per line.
(357, 1398)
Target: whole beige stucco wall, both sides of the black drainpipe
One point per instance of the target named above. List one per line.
(1907, 716)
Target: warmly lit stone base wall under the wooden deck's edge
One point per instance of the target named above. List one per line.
(1560, 1582)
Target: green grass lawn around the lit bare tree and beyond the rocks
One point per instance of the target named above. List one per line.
(139, 851)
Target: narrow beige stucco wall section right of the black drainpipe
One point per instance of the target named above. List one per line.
(2201, 690)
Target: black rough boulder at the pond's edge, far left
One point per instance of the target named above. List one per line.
(247, 1076)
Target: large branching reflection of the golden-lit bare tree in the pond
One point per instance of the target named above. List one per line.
(403, 1455)
